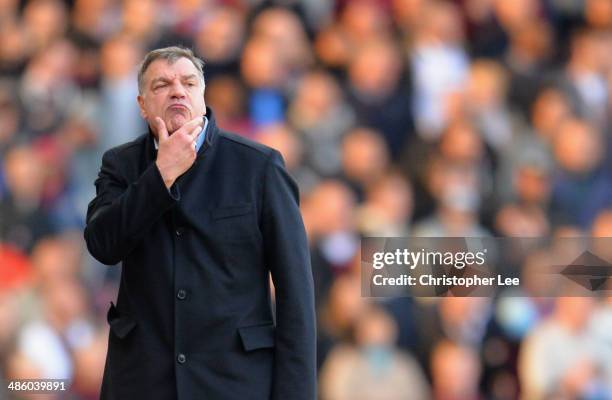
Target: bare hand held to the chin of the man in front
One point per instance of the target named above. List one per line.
(176, 152)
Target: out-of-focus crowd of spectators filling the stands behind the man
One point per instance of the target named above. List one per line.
(396, 118)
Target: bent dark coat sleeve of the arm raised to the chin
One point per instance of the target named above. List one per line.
(122, 212)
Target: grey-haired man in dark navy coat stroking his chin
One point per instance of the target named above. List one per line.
(199, 218)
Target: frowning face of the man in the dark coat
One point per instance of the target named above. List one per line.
(173, 92)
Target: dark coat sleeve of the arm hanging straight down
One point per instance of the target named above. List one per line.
(287, 255)
